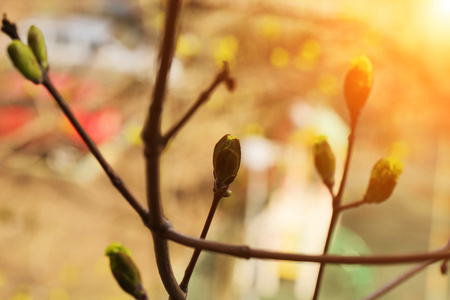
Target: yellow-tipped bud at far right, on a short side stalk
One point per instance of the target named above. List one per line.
(383, 179)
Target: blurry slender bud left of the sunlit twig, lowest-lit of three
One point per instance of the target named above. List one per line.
(324, 161)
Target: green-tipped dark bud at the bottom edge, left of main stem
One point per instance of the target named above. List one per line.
(125, 271)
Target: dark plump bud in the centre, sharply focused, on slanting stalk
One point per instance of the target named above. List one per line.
(226, 159)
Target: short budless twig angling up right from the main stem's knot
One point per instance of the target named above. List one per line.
(223, 76)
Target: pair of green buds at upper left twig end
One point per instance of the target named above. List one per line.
(31, 60)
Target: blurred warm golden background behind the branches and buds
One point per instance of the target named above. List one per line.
(58, 211)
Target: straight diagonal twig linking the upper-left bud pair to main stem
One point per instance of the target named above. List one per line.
(115, 179)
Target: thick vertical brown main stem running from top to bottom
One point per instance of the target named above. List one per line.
(153, 146)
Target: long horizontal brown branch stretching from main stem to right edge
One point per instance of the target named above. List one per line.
(243, 251)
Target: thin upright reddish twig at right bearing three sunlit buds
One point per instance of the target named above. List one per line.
(337, 200)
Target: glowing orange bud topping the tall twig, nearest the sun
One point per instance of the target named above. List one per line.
(357, 85)
